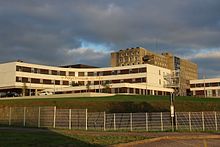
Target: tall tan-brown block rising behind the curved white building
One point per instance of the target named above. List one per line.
(186, 70)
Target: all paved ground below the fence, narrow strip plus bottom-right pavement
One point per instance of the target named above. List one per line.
(159, 139)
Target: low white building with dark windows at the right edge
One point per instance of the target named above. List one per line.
(205, 87)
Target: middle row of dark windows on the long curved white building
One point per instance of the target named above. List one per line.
(63, 82)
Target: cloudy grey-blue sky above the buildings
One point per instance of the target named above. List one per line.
(61, 32)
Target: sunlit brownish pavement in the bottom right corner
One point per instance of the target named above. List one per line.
(178, 140)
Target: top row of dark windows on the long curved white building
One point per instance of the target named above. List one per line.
(64, 73)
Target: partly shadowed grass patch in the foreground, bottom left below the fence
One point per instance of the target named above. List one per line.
(25, 137)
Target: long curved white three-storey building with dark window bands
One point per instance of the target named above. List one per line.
(29, 79)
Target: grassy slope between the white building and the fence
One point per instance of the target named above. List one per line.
(123, 103)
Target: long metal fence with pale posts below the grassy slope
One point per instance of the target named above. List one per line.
(51, 117)
